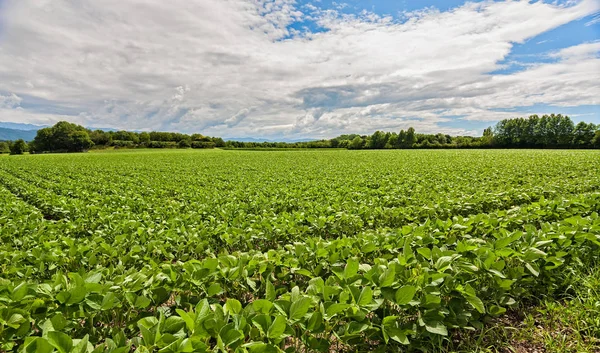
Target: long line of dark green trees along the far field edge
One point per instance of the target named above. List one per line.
(547, 131)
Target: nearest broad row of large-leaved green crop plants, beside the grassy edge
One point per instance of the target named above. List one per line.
(392, 286)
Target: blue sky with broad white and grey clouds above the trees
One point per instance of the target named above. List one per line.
(296, 69)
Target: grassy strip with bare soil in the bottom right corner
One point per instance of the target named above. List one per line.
(550, 325)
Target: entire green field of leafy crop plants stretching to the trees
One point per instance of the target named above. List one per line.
(298, 251)
